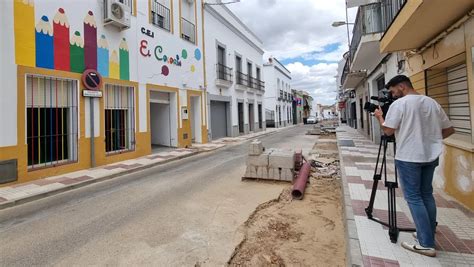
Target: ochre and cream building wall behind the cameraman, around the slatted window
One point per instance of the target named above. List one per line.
(456, 171)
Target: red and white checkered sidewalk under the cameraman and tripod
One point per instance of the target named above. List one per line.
(369, 243)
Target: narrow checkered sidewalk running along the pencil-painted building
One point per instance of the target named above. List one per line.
(26, 192)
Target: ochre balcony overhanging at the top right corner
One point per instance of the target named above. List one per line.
(420, 21)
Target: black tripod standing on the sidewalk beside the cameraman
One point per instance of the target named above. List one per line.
(393, 229)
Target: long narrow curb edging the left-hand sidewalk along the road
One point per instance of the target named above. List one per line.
(27, 199)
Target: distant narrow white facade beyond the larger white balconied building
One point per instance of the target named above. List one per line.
(278, 96)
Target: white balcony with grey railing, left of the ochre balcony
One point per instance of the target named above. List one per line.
(366, 34)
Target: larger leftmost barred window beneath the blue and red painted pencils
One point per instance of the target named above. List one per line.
(51, 120)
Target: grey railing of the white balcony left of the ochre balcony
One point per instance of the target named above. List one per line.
(369, 20)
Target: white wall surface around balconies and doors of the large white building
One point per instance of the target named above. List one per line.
(226, 30)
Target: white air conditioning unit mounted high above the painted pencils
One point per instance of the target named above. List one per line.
(116, 14)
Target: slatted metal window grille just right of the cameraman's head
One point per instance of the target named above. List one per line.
(448, 86)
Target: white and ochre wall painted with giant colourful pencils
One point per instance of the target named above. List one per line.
(159, 60)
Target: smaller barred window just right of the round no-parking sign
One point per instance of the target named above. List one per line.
(119, 118)
